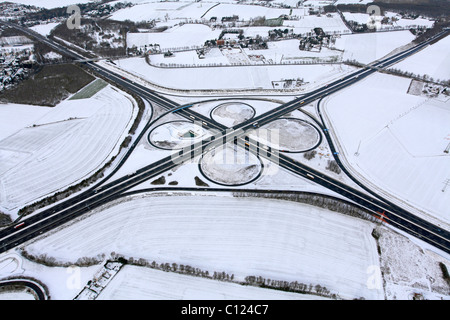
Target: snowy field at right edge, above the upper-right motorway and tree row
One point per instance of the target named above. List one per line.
(433, 61)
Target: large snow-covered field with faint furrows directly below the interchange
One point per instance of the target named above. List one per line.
(244, 236)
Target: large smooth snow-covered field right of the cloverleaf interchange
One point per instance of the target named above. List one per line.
(395, 142)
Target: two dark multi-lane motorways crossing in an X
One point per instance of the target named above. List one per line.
(94, 197)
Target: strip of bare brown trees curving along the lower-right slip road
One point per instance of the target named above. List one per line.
(318, 200)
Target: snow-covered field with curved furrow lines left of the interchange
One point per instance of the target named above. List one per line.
(66, 145)
